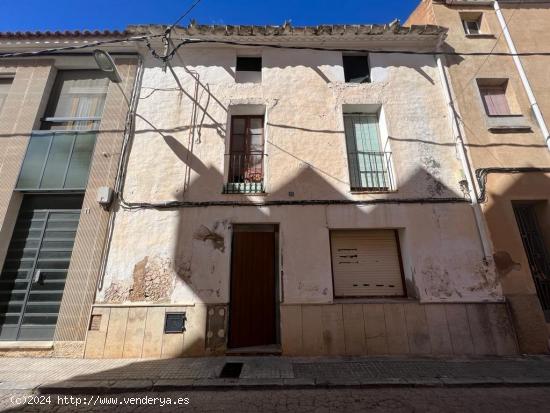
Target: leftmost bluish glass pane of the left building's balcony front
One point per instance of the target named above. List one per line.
(31, 171)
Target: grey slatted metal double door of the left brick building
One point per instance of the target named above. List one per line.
(33, 278)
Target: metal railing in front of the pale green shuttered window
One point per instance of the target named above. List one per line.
(370, 171)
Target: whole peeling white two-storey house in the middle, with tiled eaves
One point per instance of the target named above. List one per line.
(303, 201)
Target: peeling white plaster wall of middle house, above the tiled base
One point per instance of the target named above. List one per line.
(182, 256)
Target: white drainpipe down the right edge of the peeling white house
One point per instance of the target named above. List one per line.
(486, 244)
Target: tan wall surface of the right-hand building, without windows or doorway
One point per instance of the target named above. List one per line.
(505, 148)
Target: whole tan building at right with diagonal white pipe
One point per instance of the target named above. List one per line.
(502, 102)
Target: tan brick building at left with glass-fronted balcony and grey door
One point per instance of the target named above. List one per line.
(61, 129)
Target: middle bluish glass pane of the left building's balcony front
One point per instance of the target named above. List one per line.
(57, 161)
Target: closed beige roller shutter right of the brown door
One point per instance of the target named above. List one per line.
(366, 263)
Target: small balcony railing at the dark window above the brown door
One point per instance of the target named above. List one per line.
(246, 173)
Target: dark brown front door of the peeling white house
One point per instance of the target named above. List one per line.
(253, 287)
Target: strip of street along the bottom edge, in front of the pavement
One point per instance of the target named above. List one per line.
(519, 399)
